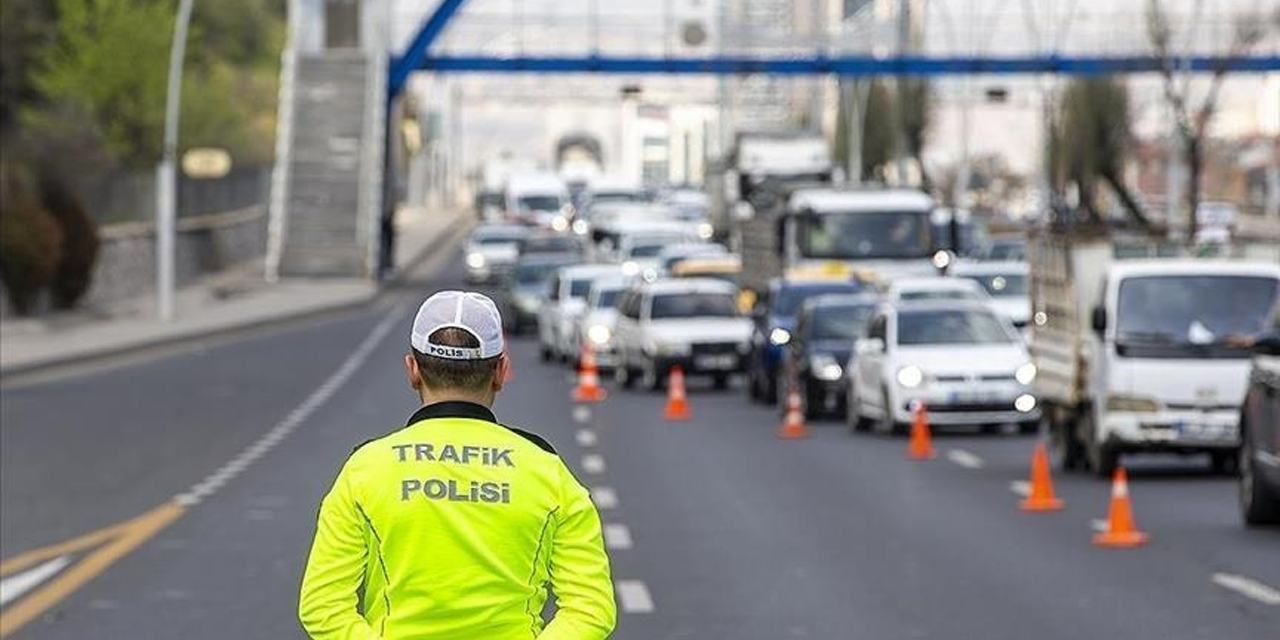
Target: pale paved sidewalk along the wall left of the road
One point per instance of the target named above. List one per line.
(223, 303)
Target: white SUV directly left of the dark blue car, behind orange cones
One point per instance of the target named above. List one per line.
(689, 323)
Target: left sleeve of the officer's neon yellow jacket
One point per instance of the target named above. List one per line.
(336, 569)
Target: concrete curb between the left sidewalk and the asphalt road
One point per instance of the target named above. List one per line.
(450, 236)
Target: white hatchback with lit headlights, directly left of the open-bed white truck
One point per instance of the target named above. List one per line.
(964, 362)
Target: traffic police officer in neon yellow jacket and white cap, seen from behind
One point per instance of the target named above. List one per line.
(454, 527)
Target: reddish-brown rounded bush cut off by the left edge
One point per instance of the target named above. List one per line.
(30, 243)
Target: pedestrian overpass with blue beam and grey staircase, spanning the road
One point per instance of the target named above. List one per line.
(349, 62)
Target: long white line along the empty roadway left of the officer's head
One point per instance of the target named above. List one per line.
(214, 482)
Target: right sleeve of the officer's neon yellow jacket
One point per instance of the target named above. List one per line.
(579, 570)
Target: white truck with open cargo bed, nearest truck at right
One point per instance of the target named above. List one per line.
(1142, 354)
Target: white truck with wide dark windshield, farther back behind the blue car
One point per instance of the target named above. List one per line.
(880, 232)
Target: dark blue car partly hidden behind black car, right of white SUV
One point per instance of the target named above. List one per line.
(775, 317)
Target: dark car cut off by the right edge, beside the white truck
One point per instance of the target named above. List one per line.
(1260, 433)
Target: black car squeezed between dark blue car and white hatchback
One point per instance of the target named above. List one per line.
(821, 348)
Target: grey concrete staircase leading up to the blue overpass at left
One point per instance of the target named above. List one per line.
(331, 205)
